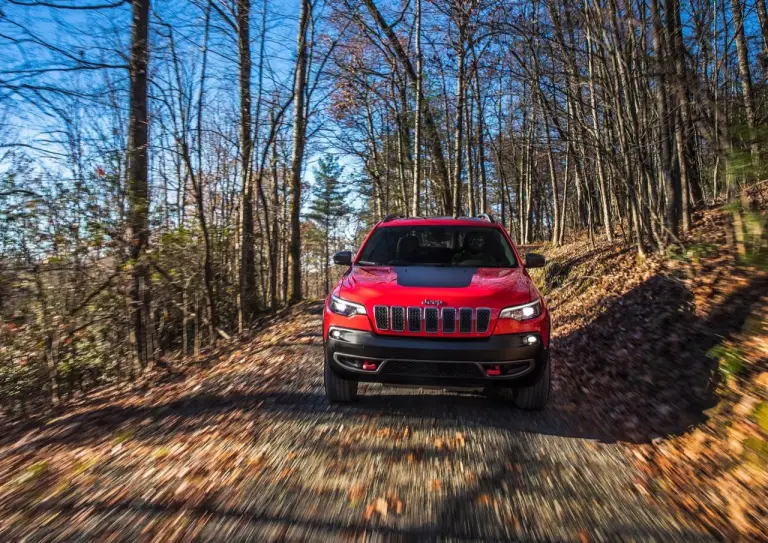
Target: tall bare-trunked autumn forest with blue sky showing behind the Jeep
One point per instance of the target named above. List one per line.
(172, 172)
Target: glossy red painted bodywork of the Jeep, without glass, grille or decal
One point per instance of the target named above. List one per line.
(492, 288)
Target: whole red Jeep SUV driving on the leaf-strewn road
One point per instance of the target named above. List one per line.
(438, 302)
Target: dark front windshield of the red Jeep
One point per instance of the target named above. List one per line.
(458, 246)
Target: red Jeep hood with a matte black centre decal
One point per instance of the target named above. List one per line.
(494, 288)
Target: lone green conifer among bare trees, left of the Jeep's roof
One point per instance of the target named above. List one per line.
(329, 204)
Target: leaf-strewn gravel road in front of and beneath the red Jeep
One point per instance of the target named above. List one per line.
(249, 449)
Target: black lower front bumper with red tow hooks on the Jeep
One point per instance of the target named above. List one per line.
(496, 361)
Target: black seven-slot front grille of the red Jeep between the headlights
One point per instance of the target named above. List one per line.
(448, 320)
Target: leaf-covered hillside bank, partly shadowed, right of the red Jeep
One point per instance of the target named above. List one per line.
(672, 354)
